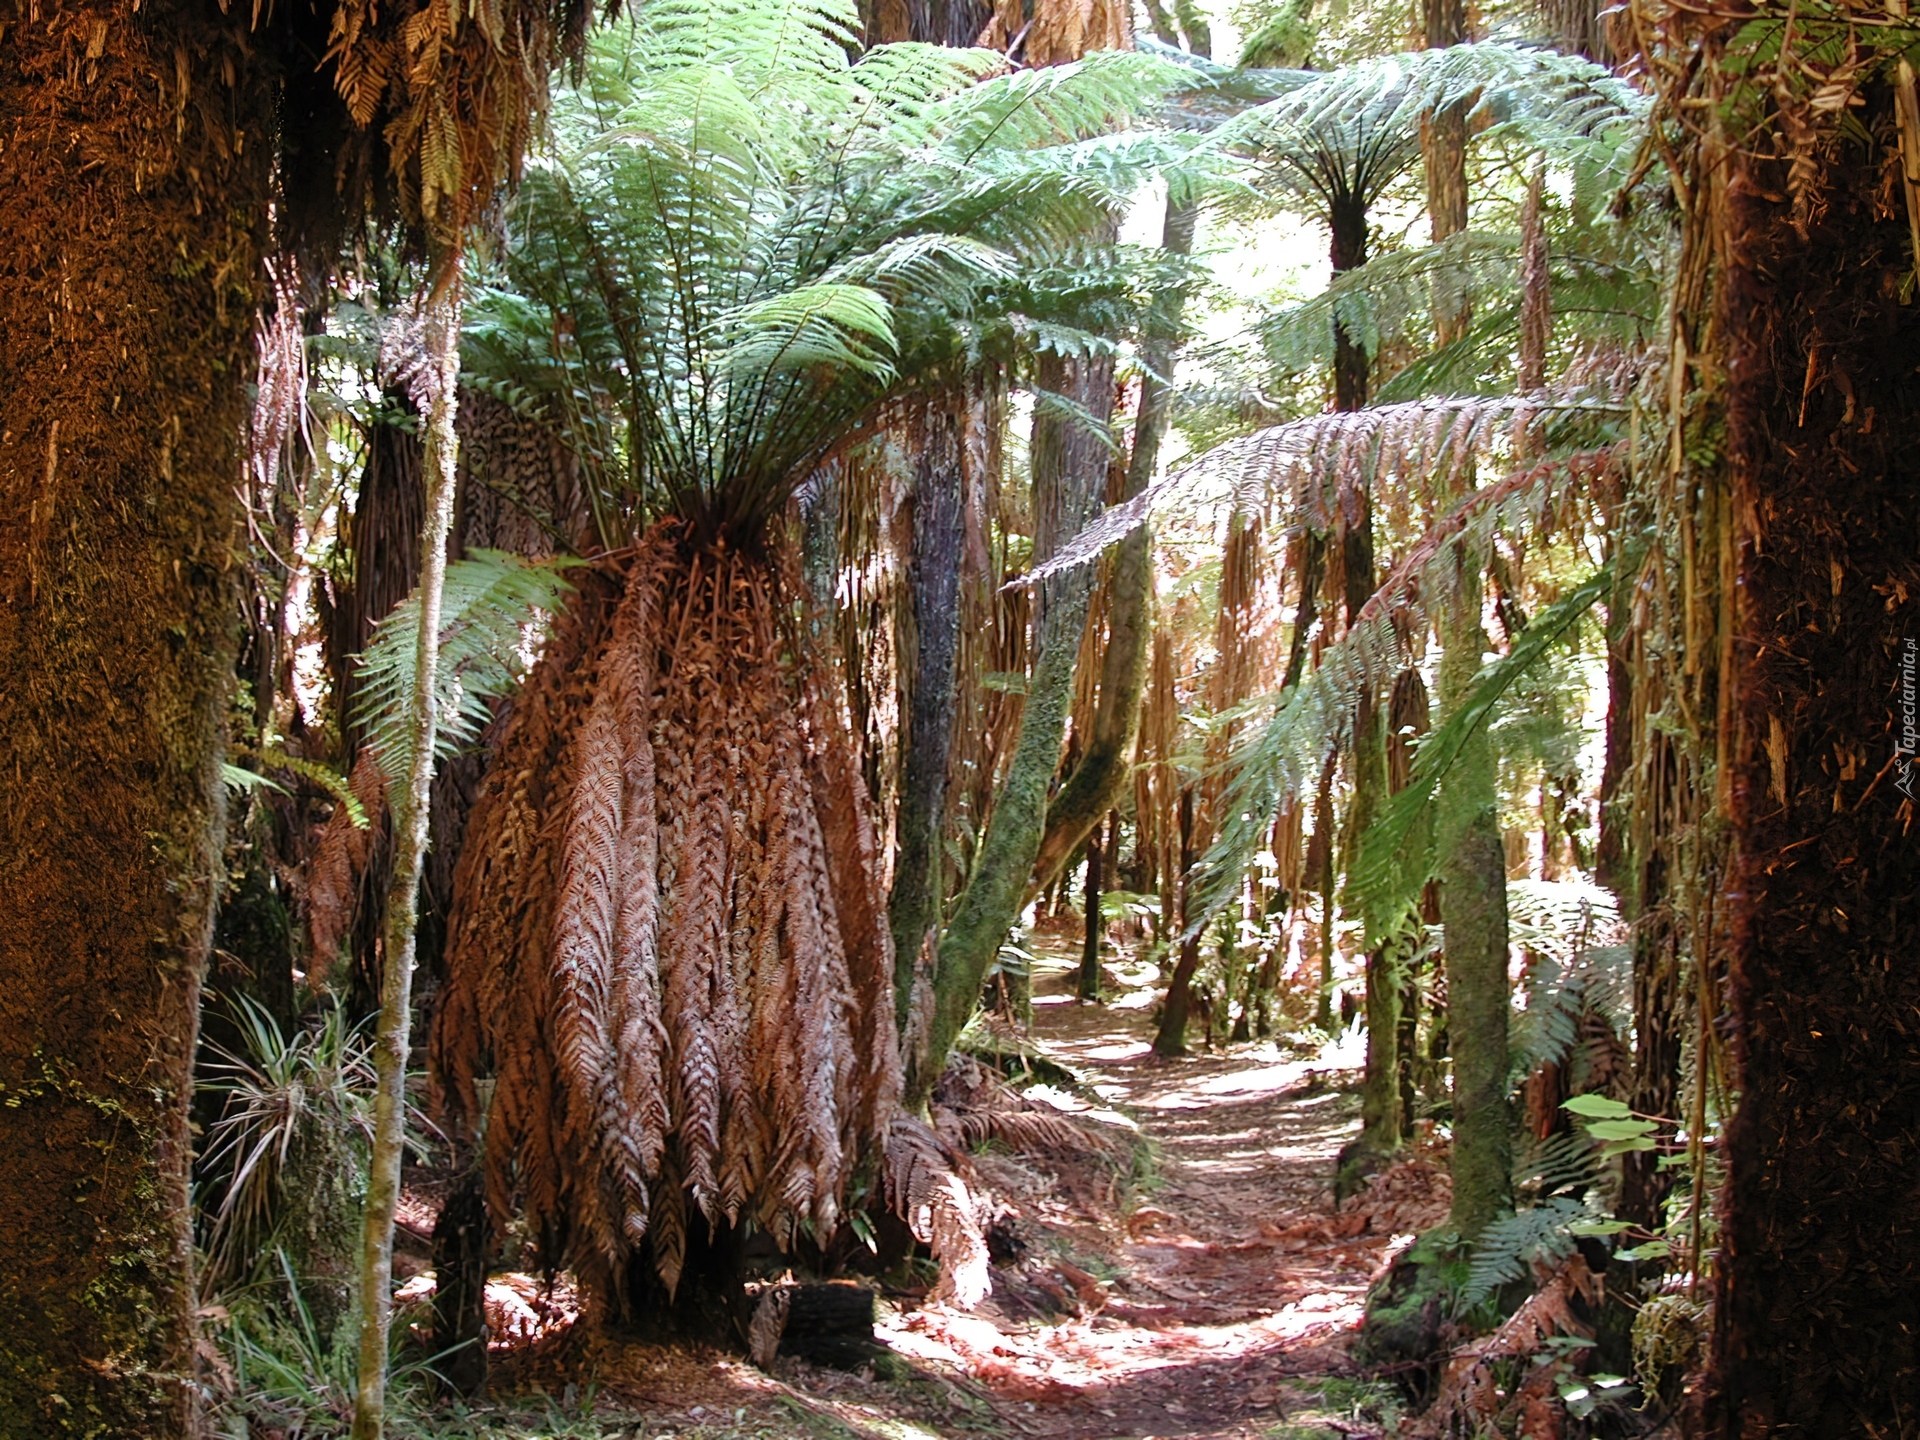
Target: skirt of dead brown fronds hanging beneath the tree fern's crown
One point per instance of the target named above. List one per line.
(669, 938)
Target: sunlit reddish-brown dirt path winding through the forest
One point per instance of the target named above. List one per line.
(1232, 1289)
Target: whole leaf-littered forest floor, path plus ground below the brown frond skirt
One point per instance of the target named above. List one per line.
(1170, 1260)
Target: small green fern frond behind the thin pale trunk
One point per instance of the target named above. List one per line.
(491, 615)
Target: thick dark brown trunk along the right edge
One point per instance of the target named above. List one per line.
(1817, 1316)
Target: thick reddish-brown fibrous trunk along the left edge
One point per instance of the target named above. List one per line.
(130, 270)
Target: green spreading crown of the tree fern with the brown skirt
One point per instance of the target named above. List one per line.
(742, 241)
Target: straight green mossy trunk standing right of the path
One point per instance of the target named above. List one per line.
(1474, 905)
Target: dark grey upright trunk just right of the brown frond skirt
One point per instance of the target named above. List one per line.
(934, 583)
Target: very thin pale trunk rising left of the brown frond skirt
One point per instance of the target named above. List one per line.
(443, 333)
